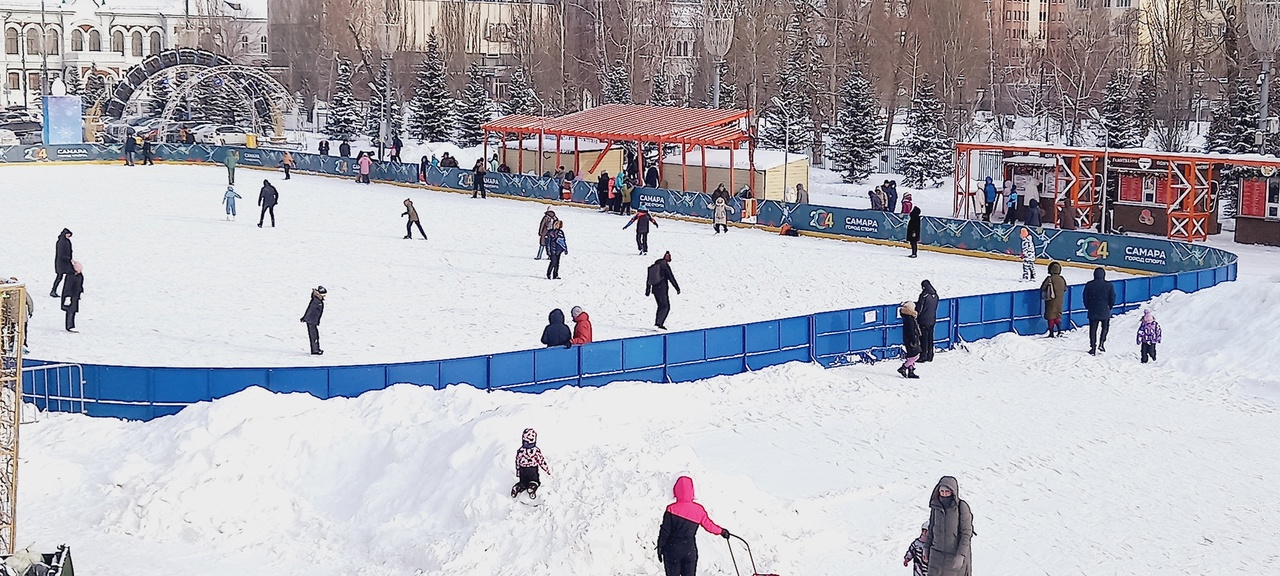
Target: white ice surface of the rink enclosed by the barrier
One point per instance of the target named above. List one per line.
(171, 282)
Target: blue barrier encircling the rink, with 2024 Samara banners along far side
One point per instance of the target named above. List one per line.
(833, 339)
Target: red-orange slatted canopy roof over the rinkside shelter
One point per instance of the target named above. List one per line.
(636, 124)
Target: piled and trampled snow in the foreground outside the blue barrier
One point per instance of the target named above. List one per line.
(1072, 465)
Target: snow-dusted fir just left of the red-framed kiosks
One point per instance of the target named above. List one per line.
(927, 150)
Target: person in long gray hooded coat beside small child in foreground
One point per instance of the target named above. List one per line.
(950, 531)
